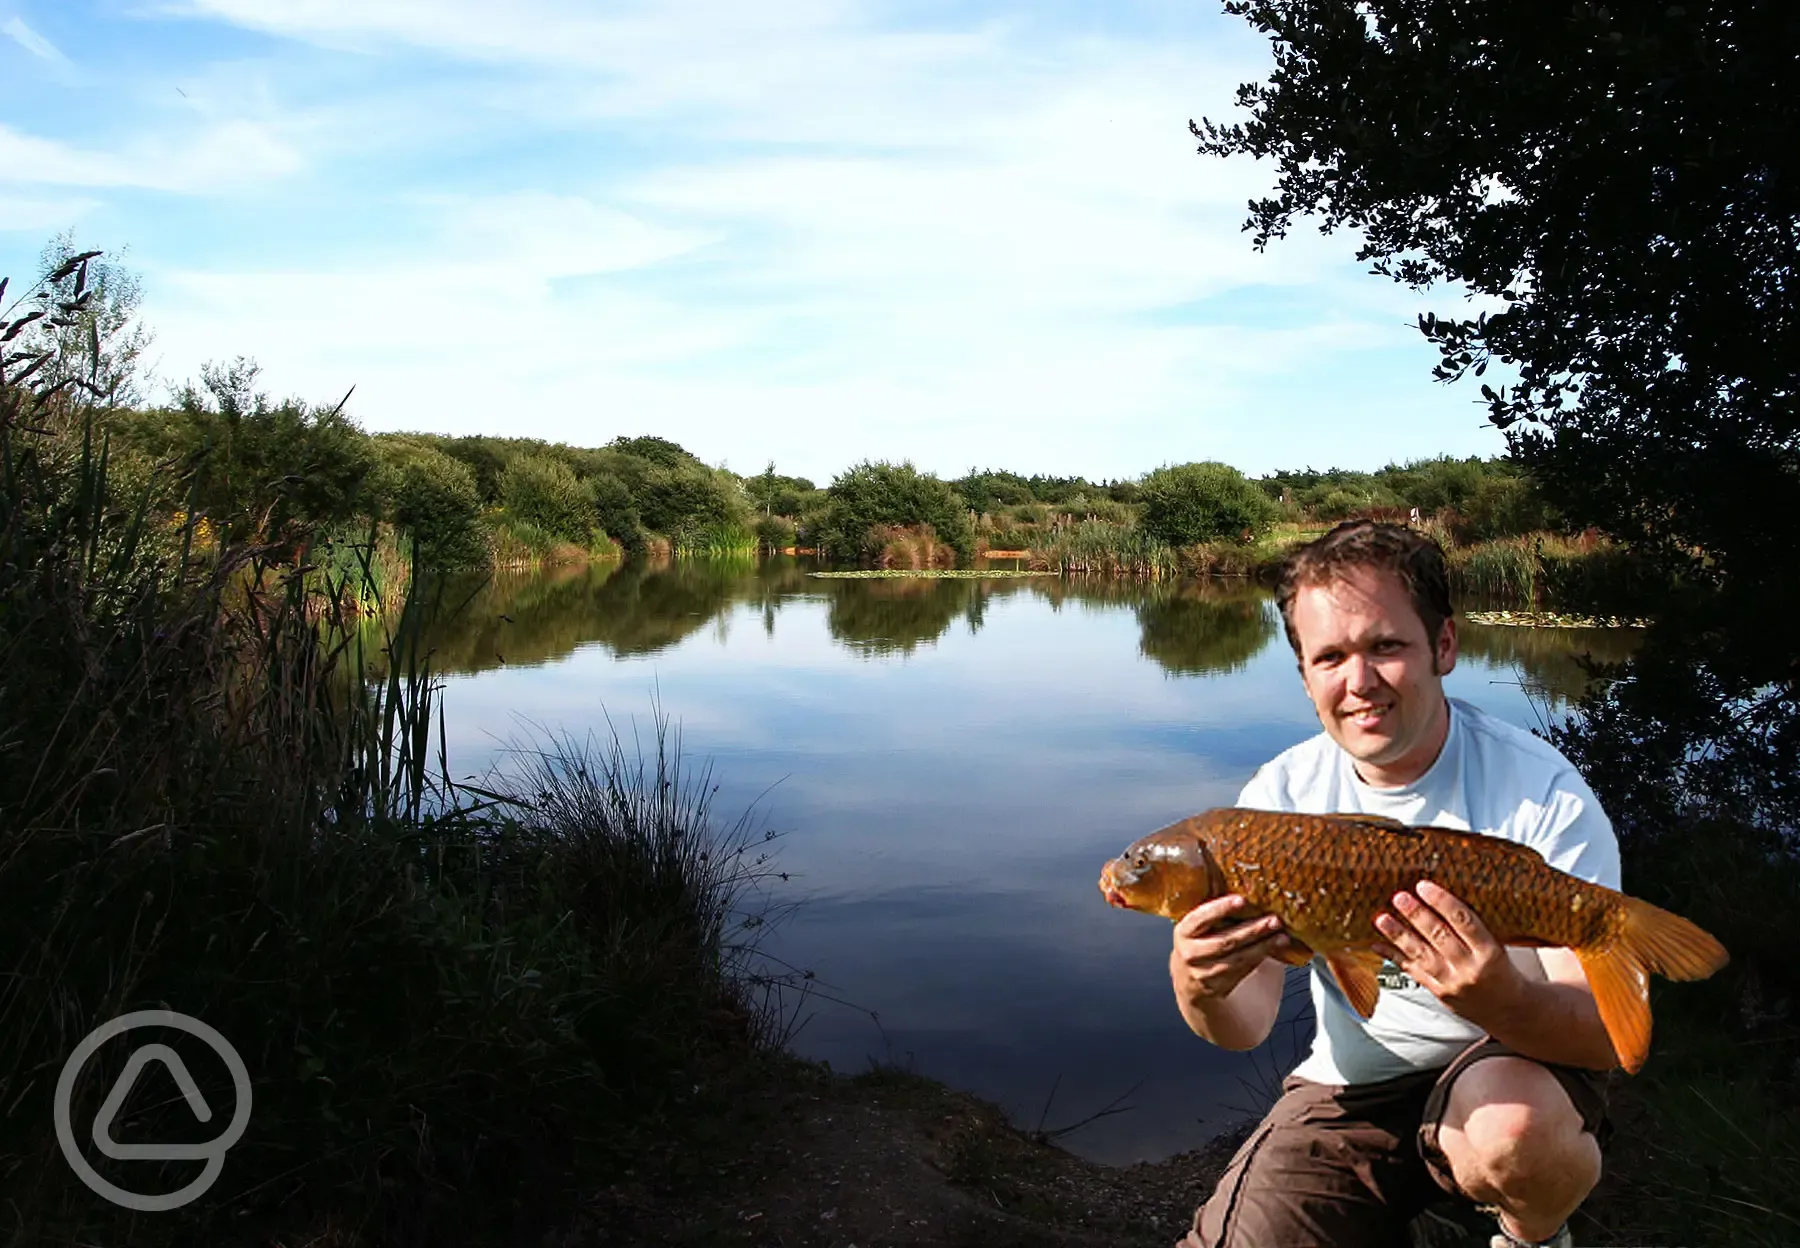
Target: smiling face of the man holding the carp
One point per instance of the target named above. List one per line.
(1372, 673)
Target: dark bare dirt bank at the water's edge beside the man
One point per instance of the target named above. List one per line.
(796, 1157)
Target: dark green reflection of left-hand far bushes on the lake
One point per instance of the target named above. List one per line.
(629, 610)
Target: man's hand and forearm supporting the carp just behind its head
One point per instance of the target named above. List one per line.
(1212, 957)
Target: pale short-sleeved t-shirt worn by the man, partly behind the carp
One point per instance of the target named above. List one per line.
(1491, 779)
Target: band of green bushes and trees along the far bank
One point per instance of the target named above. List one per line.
(255, 467)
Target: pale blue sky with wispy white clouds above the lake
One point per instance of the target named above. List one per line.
(966, 235)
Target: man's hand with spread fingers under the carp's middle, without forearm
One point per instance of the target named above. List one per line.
(1446, 946)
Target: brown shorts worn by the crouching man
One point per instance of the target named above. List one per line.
(1351, 1168)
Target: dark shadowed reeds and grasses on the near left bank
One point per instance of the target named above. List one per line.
(215, 800)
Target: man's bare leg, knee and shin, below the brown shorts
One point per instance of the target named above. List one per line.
(1515, 1137)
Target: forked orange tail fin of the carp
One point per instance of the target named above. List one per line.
(1648, 939)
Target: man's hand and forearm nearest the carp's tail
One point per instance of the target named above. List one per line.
(1446, 948)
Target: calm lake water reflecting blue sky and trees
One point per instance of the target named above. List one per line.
(949, 764)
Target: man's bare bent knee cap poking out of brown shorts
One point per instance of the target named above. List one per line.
(1509, 1128)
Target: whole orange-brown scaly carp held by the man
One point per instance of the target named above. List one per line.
(1327, 876)
